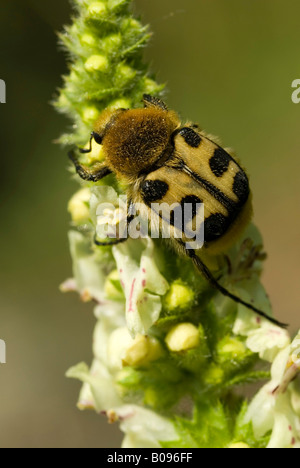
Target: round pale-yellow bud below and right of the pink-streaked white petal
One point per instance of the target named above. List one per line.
(183, 337)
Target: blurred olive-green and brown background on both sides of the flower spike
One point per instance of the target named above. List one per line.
(229, 65)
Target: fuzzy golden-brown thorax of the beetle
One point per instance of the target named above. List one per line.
(135, 140)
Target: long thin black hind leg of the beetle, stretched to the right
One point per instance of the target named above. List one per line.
(210, 278)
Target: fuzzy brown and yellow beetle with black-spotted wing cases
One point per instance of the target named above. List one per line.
(162, 161)
